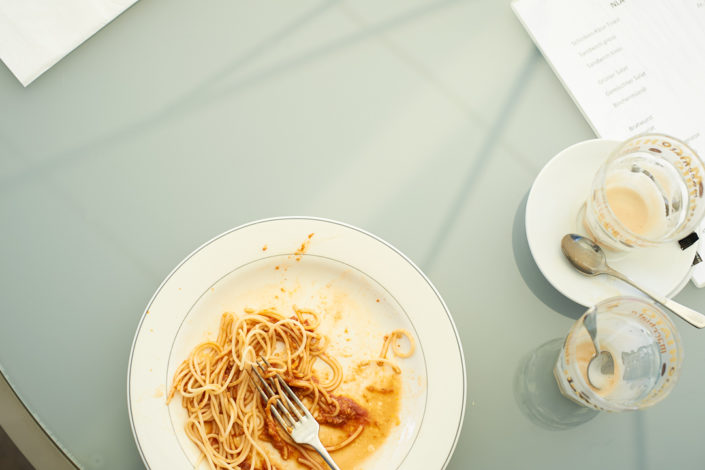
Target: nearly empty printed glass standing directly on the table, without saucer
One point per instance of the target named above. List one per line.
(646, 351)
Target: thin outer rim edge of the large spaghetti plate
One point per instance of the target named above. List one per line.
(345, 225)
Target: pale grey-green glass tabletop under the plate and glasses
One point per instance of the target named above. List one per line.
(424, 122)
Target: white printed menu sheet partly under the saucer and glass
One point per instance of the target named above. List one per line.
(631, 66)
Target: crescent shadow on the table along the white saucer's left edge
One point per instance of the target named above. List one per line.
(531, 274)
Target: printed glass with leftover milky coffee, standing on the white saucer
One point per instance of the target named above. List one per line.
(648, 192)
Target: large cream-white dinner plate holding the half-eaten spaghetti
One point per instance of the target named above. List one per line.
(346, 273)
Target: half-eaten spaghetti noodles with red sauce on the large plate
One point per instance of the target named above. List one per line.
(228, 421)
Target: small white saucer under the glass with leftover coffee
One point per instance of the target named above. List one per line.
(556, 196)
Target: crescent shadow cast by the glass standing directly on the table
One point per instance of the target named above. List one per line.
(538, 396)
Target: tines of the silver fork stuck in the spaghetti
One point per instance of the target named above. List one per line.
(274, 386)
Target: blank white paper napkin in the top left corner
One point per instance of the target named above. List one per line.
(36, 34)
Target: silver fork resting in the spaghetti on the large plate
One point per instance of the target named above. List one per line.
(303, 428)
